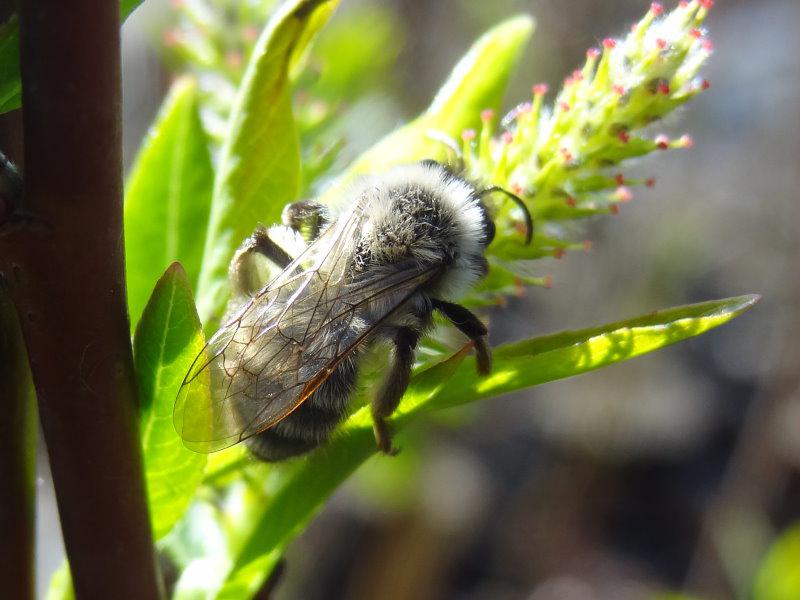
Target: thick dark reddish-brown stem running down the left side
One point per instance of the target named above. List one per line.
(66, 274)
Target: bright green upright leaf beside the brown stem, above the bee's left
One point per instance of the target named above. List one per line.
(168, 197)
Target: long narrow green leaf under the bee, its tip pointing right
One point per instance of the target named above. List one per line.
(299, 488)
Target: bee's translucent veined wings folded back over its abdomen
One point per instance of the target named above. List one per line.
(282, 345)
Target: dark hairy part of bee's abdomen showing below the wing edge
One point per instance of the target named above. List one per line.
(312, 422)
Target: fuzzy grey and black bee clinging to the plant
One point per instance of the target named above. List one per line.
(285, 363)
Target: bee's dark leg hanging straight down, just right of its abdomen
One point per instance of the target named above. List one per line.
(393, 387)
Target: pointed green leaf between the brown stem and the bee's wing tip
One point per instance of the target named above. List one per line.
(167, 341)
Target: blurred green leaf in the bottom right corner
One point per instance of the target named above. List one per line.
(778, 576)
